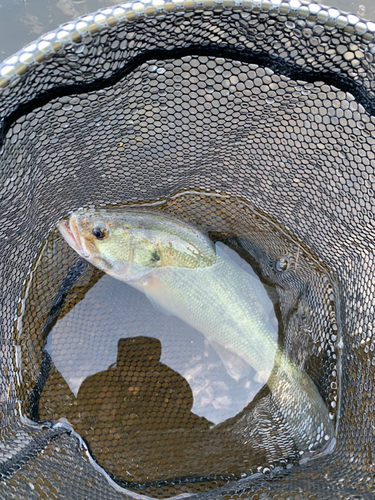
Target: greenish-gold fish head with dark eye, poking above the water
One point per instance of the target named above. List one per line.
(130, 245)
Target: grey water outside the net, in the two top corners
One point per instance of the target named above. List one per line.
(23, 21)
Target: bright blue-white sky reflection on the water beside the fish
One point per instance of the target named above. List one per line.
(73, 343)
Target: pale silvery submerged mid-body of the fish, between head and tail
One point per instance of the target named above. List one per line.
(224, 303)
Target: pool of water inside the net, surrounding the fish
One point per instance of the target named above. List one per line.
(148, 393)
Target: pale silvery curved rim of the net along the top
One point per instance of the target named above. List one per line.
(14, 68)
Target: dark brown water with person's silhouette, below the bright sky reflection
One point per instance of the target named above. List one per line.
(136, 418)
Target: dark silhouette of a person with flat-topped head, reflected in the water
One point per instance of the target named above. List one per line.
(136, 415)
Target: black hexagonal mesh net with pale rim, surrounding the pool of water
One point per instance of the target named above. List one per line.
(271, 103)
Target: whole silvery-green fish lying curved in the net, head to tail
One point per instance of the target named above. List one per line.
(183, 273)
